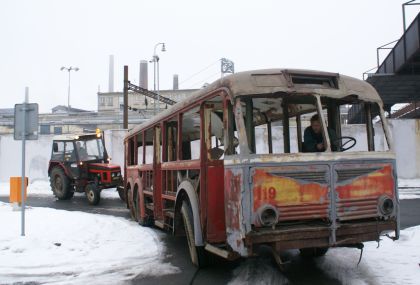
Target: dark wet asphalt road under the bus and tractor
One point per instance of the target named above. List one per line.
(220, 271)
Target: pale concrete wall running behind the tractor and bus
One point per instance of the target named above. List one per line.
(406, 134)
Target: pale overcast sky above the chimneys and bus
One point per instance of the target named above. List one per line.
(38, 37)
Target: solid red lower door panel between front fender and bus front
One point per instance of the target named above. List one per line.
(216, 227)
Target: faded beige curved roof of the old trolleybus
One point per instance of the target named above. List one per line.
(268, 81)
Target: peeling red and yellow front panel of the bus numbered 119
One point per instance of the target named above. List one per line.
(338, 199)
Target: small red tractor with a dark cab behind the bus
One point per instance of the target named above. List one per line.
(80, 163)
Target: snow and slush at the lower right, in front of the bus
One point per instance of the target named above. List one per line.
(392, 263)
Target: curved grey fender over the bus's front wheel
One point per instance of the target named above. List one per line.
(186, 188)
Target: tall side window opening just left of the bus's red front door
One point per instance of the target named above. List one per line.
(191, 125)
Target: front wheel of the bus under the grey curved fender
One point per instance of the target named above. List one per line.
(197, 253)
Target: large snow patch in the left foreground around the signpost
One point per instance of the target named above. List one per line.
(62, 247)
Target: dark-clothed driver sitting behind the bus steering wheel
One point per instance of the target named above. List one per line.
(313, 138)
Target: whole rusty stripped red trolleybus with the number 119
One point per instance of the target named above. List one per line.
(227, 167)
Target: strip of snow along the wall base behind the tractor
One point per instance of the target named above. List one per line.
(42, 187)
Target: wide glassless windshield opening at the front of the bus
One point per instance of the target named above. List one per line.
(300, 123)
